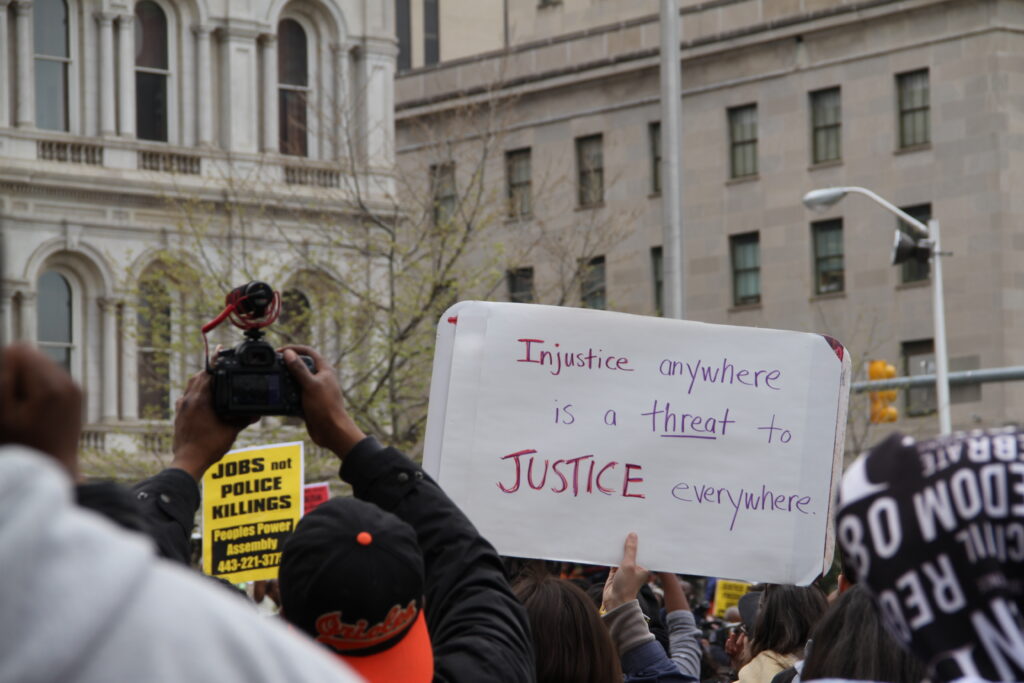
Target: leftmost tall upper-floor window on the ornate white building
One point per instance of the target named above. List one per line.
(53, 62)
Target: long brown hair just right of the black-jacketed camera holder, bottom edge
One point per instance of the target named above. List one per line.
(572, 643)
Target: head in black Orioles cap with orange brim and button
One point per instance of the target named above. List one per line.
(353, 578)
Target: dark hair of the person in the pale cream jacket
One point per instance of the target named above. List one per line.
(786, 618)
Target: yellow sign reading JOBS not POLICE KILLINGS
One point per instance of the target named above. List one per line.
(252, 500)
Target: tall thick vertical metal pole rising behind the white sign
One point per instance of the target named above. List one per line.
(672, 149)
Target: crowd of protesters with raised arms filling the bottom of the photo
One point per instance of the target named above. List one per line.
(396, 584)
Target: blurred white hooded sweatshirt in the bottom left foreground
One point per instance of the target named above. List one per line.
(82, 601)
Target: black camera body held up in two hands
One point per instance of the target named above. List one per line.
(252, 380)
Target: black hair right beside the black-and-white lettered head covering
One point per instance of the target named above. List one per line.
(851, 642)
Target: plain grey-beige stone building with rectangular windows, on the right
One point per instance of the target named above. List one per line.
(917, 100)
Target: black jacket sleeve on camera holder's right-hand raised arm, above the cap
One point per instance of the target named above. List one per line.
(479, 630)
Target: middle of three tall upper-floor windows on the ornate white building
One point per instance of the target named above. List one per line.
(151, 72)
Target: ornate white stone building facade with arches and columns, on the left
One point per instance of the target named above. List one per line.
(112, 113)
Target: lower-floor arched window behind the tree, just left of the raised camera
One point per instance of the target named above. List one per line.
(154, 345)
